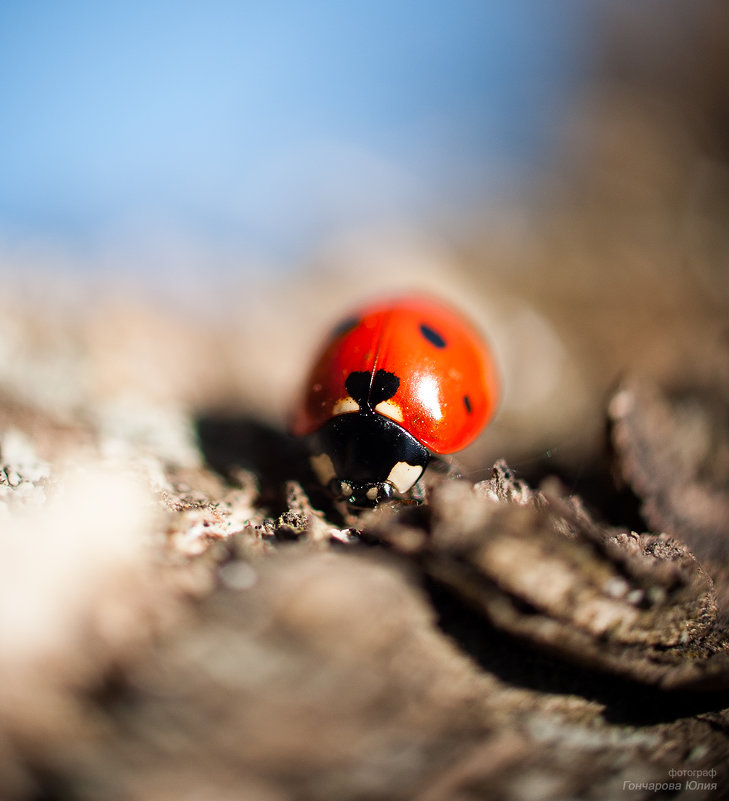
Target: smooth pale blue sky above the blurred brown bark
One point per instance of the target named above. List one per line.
(272, 124)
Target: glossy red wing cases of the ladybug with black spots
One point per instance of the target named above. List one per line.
(448, 384)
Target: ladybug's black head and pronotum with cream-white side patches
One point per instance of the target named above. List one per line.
(364, 459)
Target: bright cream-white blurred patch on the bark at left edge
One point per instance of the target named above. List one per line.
(72, 573)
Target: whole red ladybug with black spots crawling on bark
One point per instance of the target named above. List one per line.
(396, 384)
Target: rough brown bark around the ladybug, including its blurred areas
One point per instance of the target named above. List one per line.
(184, 614)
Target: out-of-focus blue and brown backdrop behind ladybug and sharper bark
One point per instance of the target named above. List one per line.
(208, 189)
